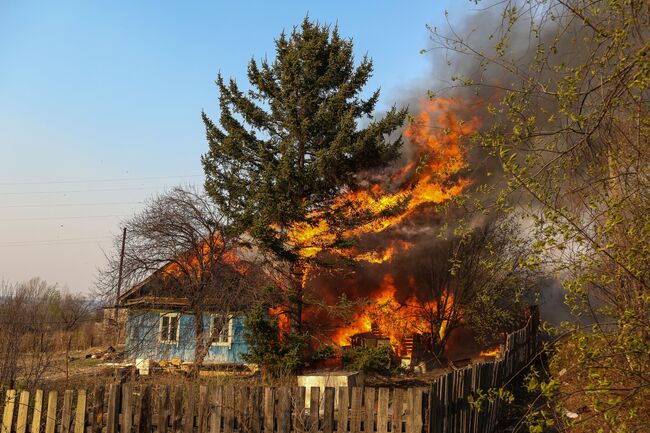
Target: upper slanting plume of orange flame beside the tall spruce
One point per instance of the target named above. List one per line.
(429, 176)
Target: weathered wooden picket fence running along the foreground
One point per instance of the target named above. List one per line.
(442, 407)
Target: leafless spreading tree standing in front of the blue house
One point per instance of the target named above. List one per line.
(179, 247)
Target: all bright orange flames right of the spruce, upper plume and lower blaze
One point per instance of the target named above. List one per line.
(428, 174)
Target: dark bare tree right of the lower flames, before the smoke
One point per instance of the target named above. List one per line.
(475, 280)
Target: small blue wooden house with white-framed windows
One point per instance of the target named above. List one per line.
(159, 327)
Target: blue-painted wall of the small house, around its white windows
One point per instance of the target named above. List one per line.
(143, 339)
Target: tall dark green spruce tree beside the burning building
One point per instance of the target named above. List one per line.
(283, 150)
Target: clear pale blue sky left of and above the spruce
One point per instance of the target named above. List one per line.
(100, 106)
